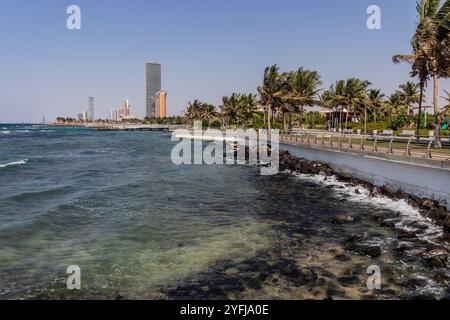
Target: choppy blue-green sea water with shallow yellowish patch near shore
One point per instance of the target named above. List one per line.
(139, 226)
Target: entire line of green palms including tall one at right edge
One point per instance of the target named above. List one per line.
(284, 96)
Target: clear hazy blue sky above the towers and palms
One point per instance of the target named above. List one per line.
(207, 48)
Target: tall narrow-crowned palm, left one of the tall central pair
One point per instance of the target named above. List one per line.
(270, 92)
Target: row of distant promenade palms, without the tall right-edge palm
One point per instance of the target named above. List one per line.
(285, 96)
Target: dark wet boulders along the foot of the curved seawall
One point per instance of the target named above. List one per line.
(436, 256)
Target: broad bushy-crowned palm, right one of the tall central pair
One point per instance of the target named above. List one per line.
(302, 90)
